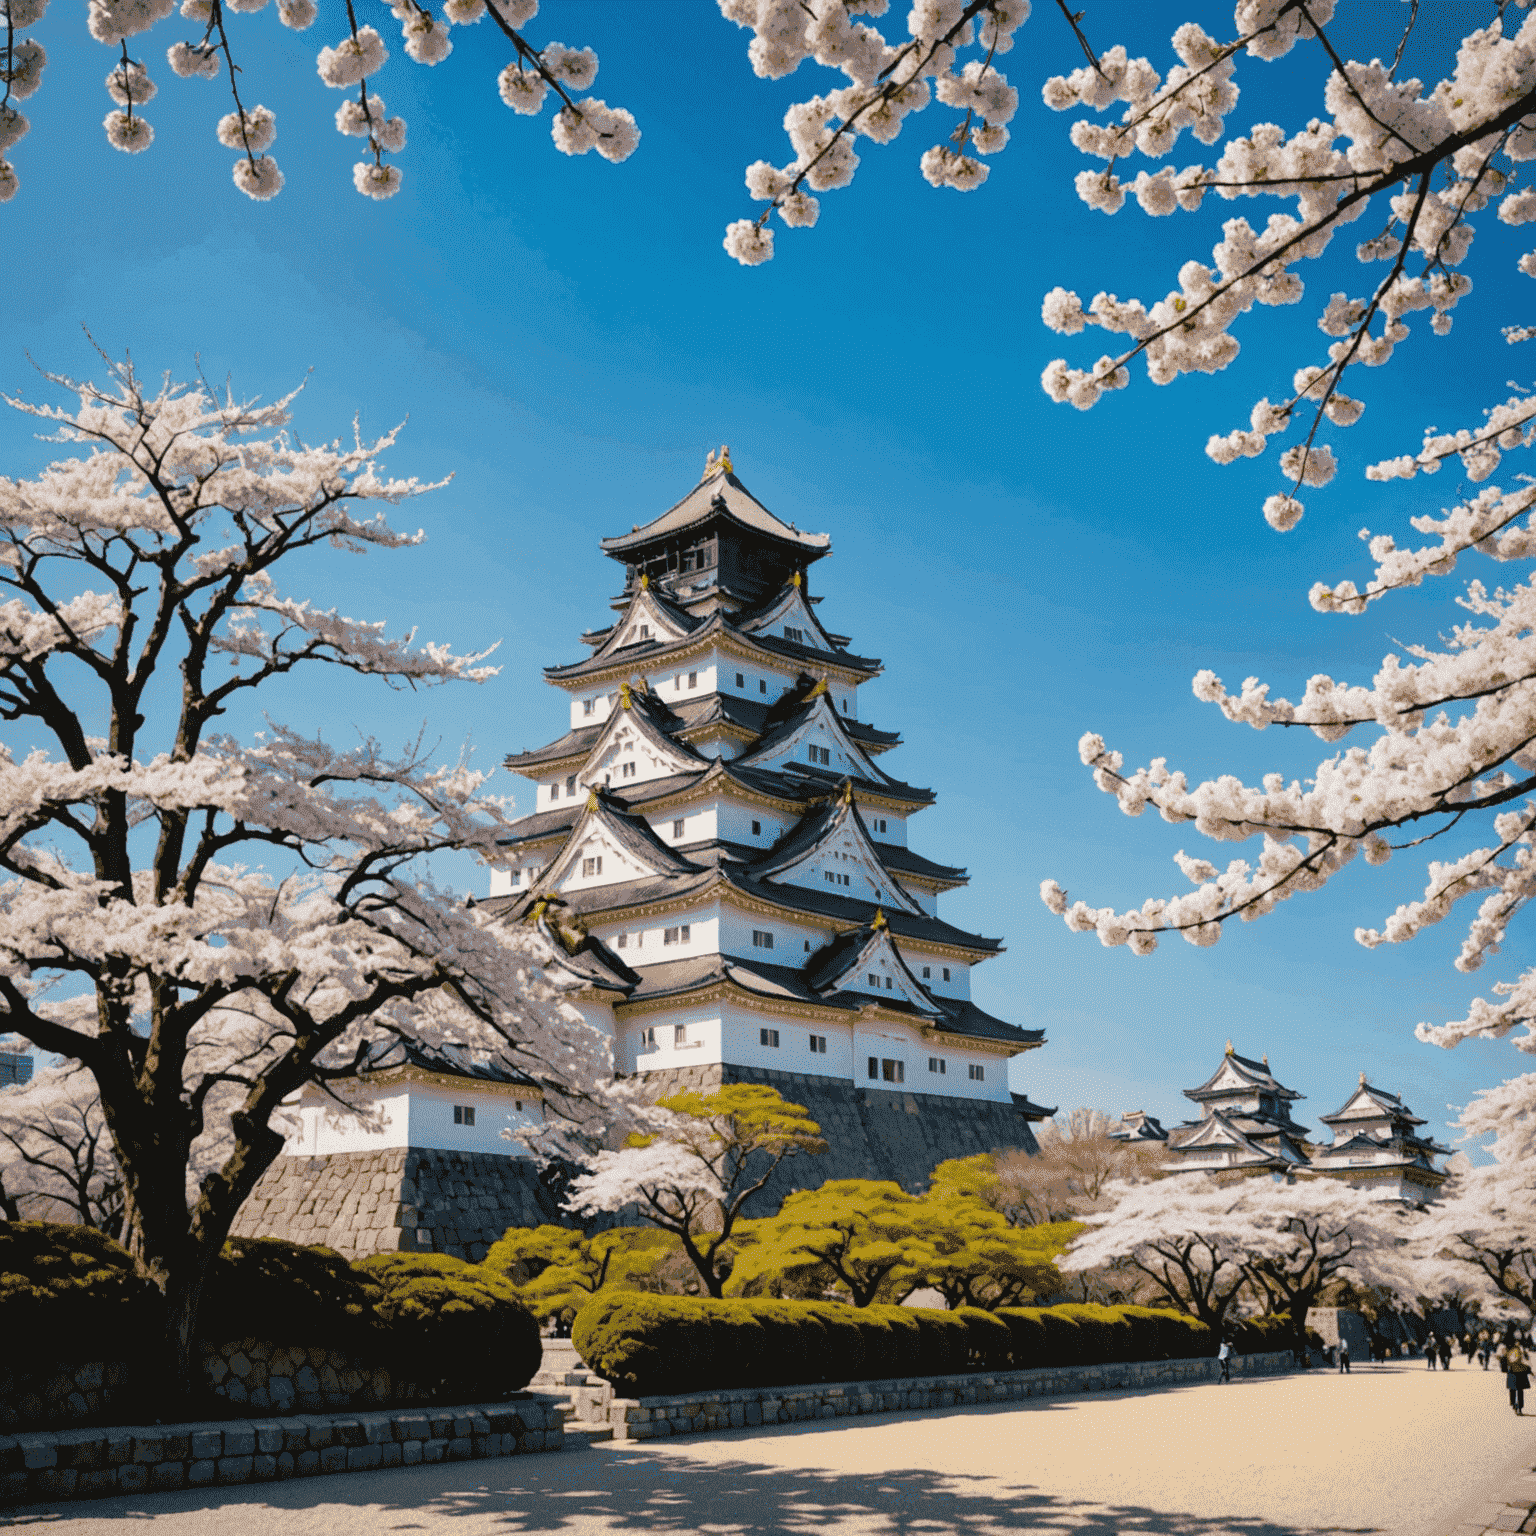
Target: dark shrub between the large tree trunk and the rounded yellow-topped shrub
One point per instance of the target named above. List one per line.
(286, 1294)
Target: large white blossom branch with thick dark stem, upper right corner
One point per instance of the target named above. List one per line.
(1435, 156)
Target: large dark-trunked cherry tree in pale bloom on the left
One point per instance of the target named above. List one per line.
(204, 925)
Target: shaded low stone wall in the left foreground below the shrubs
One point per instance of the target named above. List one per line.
(84, 1465)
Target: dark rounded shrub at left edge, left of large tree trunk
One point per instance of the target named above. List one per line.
(70, 1296)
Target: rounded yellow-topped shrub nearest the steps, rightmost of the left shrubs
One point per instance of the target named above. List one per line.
(455, 1329)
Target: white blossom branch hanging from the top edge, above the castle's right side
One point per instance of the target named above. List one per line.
(887, 84)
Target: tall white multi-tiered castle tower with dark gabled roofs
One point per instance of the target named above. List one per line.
(718, 861)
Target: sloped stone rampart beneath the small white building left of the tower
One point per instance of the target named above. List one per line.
(399, 1200)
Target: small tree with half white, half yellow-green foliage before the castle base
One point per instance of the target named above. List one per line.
(697, 1168)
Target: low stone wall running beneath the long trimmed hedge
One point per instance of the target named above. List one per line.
(695, 1414)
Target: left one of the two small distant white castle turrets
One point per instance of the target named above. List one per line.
(1245, 1124)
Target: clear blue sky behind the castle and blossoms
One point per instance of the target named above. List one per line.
(569, 339)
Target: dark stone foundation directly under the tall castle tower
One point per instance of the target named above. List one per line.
(872, 1133)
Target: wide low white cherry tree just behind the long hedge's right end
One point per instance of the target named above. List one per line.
(1202, 1240)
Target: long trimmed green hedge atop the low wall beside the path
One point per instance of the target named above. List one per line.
(658, 1346)
